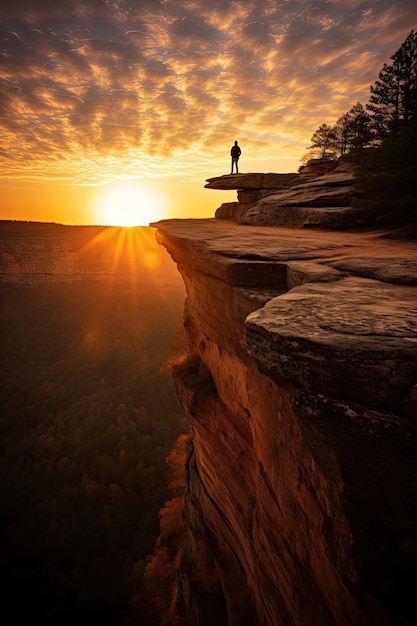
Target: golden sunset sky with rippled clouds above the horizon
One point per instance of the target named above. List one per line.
(117, 111)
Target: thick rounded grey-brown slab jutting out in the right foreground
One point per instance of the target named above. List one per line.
(357, 330)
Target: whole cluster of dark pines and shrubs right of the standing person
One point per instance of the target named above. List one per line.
(382, 140)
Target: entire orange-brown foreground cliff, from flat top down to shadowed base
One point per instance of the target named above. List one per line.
(300, 386)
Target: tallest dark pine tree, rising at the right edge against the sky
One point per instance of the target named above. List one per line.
(393, 100)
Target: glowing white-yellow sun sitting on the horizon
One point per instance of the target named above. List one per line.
(128, 204)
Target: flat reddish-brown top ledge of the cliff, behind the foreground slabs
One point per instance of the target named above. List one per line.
(226, 238)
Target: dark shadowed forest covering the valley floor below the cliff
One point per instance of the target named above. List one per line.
(89, 417)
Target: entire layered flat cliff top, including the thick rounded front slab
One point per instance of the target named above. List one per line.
(347, 324)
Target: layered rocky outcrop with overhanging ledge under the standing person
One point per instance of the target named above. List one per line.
(320, 195)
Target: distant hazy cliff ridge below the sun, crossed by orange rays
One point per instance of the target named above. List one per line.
(35, 253)
